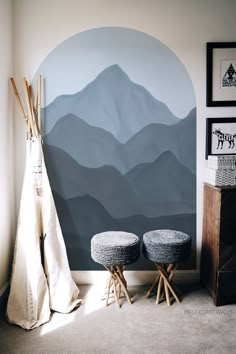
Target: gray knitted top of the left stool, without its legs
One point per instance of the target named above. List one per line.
(115, 248)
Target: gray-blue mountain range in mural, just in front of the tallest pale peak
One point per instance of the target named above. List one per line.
(94, 147)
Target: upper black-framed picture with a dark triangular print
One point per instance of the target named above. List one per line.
(221, 74)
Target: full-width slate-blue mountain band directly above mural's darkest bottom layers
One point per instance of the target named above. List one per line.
(150, 189)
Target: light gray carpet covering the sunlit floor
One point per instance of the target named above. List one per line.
(194, 326)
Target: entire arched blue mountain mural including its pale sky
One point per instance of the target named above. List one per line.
(119, 132)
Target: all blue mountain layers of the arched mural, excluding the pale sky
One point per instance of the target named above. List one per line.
(118, 159)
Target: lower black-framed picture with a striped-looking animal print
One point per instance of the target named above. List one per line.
(220, 136)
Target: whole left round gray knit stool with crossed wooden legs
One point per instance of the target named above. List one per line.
(114, 250)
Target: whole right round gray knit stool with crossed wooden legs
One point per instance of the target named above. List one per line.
(166, 248)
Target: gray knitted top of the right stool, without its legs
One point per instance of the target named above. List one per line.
(166, 246)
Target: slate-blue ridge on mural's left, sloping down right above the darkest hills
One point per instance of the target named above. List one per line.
(105, 184)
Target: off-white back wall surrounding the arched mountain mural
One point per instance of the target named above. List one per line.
(183, 25)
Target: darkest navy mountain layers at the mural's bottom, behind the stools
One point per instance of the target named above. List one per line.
(82, 217)
